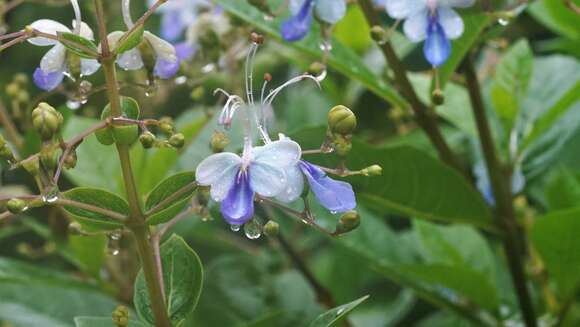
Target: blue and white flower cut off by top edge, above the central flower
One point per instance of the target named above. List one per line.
(297, 26)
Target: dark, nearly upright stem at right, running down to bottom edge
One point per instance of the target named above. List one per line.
(501, 187)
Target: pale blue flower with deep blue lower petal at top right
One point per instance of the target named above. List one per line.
(432, 21)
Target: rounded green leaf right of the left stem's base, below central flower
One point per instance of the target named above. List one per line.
(182, 280)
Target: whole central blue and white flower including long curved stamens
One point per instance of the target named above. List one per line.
(274, 170)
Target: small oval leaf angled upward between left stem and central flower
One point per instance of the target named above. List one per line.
(182, 182)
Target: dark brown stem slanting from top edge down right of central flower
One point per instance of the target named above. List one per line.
(424, 116)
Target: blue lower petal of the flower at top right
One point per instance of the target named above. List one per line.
(437, 46)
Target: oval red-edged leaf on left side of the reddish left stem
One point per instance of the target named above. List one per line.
(98, 198)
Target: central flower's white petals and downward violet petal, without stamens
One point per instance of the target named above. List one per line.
(235, 180)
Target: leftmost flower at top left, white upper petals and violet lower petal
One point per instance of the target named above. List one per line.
(53, 66)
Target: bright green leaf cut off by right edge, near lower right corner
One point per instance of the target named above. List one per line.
(555, 236)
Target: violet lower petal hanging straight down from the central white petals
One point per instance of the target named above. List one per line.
(238, 206)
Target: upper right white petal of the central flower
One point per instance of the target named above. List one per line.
(283, 153)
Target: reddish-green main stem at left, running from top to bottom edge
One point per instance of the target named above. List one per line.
(136, 222)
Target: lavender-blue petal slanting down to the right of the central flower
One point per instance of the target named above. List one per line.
(335, 196)
